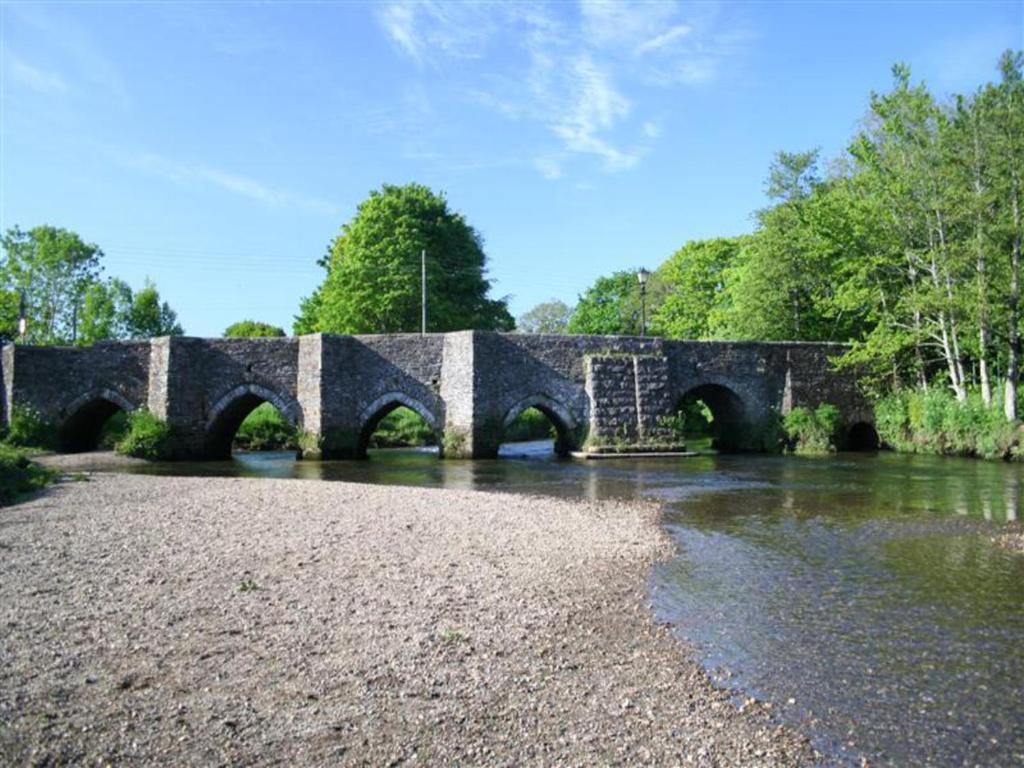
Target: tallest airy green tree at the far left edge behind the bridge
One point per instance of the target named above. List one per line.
(52, 268)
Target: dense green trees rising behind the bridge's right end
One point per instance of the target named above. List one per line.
(910, 247)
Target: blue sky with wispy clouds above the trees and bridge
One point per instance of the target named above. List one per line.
(219, 148)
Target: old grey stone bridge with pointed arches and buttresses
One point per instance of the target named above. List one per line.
(599, 391)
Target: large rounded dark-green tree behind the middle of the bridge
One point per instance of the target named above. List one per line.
(373, 271)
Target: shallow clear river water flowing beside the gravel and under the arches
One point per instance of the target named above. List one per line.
(862, 595)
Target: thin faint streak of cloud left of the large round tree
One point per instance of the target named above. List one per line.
(189, 174)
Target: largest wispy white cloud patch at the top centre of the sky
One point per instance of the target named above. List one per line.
(582, 76)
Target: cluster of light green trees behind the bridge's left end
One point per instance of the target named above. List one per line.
(65, 302)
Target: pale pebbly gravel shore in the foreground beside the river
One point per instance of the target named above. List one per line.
(198, 622)
